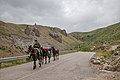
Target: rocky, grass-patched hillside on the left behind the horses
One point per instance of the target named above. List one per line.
(15, 38)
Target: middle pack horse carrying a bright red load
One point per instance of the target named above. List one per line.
(45, 53)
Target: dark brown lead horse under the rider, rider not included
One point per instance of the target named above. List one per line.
(34, 53)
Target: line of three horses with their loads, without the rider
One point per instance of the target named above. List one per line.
(43, 55)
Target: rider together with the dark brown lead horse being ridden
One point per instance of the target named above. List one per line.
(34, 53)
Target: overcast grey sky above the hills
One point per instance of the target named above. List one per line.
(73, 15)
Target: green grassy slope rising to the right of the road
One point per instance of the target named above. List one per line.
(109, 35)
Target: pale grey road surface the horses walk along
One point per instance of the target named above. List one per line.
(73, 66)
